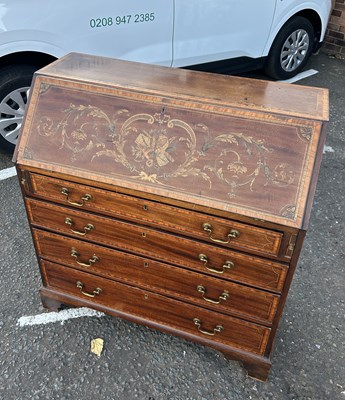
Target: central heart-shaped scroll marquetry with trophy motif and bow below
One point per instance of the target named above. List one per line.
(155, 148)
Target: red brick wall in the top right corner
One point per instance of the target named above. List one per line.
(334, 41)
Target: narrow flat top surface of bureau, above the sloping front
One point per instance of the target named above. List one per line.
(253, 94)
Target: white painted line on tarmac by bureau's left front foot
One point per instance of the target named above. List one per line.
(61, 316)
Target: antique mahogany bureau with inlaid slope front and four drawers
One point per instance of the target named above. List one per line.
(171, 198)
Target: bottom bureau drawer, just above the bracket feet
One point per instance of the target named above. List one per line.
(156, 308)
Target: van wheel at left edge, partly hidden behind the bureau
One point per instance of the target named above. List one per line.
(15, 81)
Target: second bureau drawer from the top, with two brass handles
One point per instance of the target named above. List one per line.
(158, 245)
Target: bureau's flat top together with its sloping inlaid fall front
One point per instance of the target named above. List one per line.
(238, 145)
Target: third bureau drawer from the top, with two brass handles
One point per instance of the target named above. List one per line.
(217, 294)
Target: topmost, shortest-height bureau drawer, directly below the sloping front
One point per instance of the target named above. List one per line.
(221, 231)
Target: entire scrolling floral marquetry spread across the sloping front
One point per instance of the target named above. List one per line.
(157, 148)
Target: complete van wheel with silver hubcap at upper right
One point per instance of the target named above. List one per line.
(291, 49)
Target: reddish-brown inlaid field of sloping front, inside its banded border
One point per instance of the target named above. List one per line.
(199, 153)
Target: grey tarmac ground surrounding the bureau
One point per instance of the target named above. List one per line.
(53, 360)
